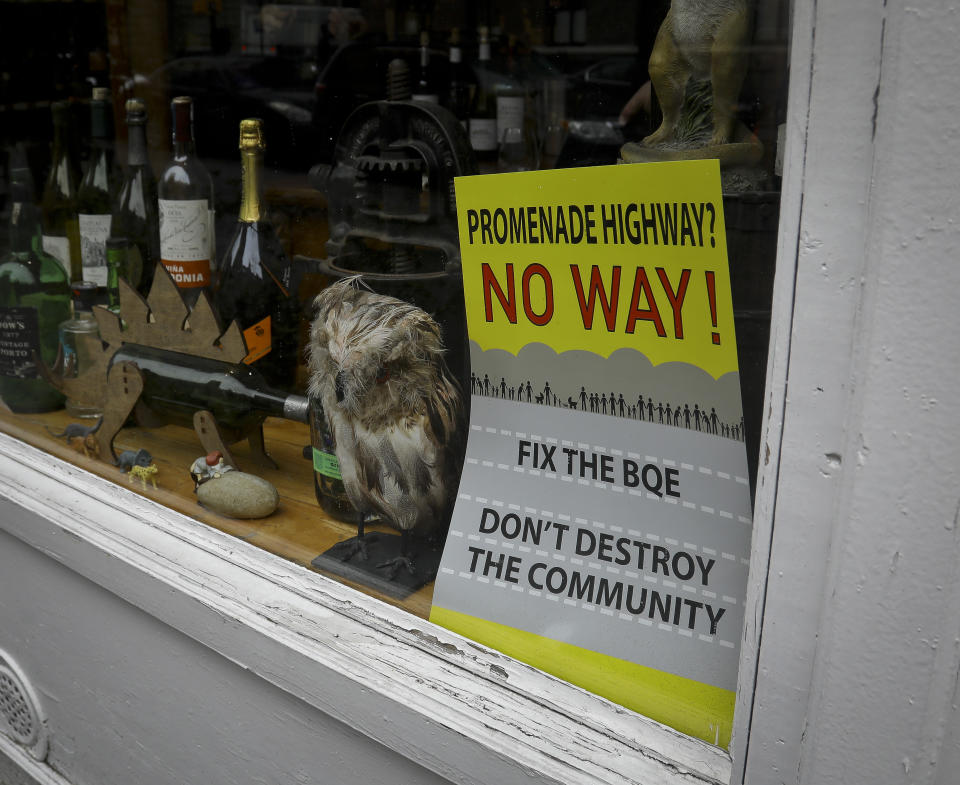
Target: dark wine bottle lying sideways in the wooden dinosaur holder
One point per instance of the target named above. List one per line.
(176, 386)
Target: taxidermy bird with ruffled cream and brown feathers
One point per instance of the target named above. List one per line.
(377, 366)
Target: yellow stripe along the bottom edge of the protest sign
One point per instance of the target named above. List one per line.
(691, 707)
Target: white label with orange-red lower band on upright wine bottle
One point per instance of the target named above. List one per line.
(186, 241)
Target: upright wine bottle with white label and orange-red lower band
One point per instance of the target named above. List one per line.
(186, 210)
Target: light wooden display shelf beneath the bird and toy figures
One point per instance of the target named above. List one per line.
(299, 530)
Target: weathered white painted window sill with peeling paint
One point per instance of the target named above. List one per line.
(464, 711)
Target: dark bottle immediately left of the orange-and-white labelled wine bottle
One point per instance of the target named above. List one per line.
(135, 216)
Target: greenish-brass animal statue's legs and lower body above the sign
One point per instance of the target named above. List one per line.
(701, 39)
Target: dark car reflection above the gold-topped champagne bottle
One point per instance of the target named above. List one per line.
(228, 89)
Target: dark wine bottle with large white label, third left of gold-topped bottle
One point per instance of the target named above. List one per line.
(95, 196)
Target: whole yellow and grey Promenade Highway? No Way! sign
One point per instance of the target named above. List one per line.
(602, 526)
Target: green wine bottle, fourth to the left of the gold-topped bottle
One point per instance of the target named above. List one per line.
(61, 232)
